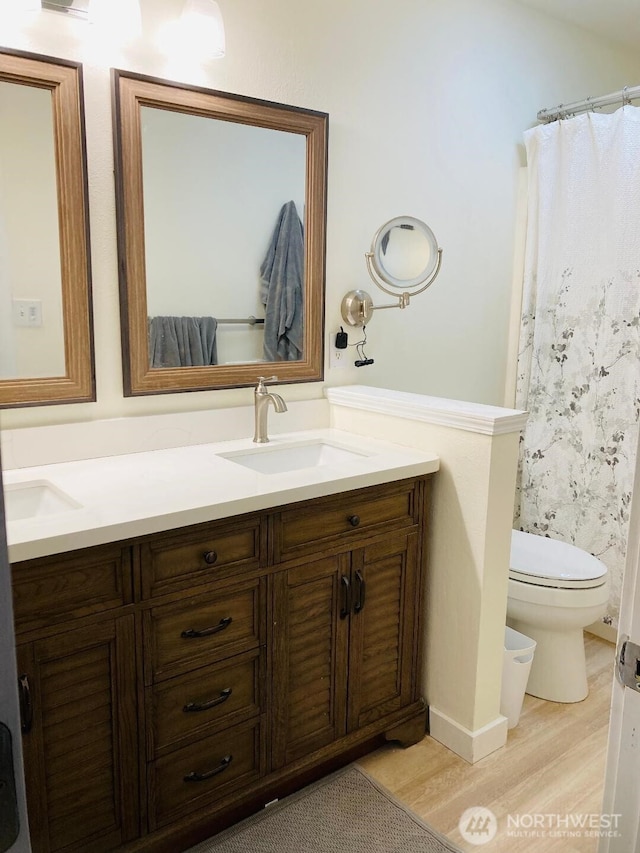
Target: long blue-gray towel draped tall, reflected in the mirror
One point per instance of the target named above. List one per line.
(281, 292)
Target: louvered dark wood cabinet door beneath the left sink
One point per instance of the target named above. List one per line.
(78, 697)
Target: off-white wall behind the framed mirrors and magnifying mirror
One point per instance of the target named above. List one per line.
(427, 101)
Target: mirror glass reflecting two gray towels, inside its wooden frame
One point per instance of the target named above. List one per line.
(224, 248)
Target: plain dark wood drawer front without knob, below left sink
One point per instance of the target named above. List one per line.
(54, 589)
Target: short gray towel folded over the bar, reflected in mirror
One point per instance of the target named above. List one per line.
(182, 341)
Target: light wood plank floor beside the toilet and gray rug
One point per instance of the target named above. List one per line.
(553, 764)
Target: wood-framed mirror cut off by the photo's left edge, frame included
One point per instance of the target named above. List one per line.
(46, 340)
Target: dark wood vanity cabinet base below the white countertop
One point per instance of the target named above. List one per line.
(170, 682)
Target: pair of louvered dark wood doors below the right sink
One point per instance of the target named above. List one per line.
(343, 645)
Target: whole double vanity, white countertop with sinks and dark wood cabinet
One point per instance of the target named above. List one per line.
(202, 629)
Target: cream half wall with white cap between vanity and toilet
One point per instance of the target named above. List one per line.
(468, 561)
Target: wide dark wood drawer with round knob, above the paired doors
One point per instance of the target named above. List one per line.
(312, 524)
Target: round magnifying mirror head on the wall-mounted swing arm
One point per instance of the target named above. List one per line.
(404, 254)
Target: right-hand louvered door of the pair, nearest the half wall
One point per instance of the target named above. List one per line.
(384, 617)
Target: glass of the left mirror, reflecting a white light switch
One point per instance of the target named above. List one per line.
(31, 334)
